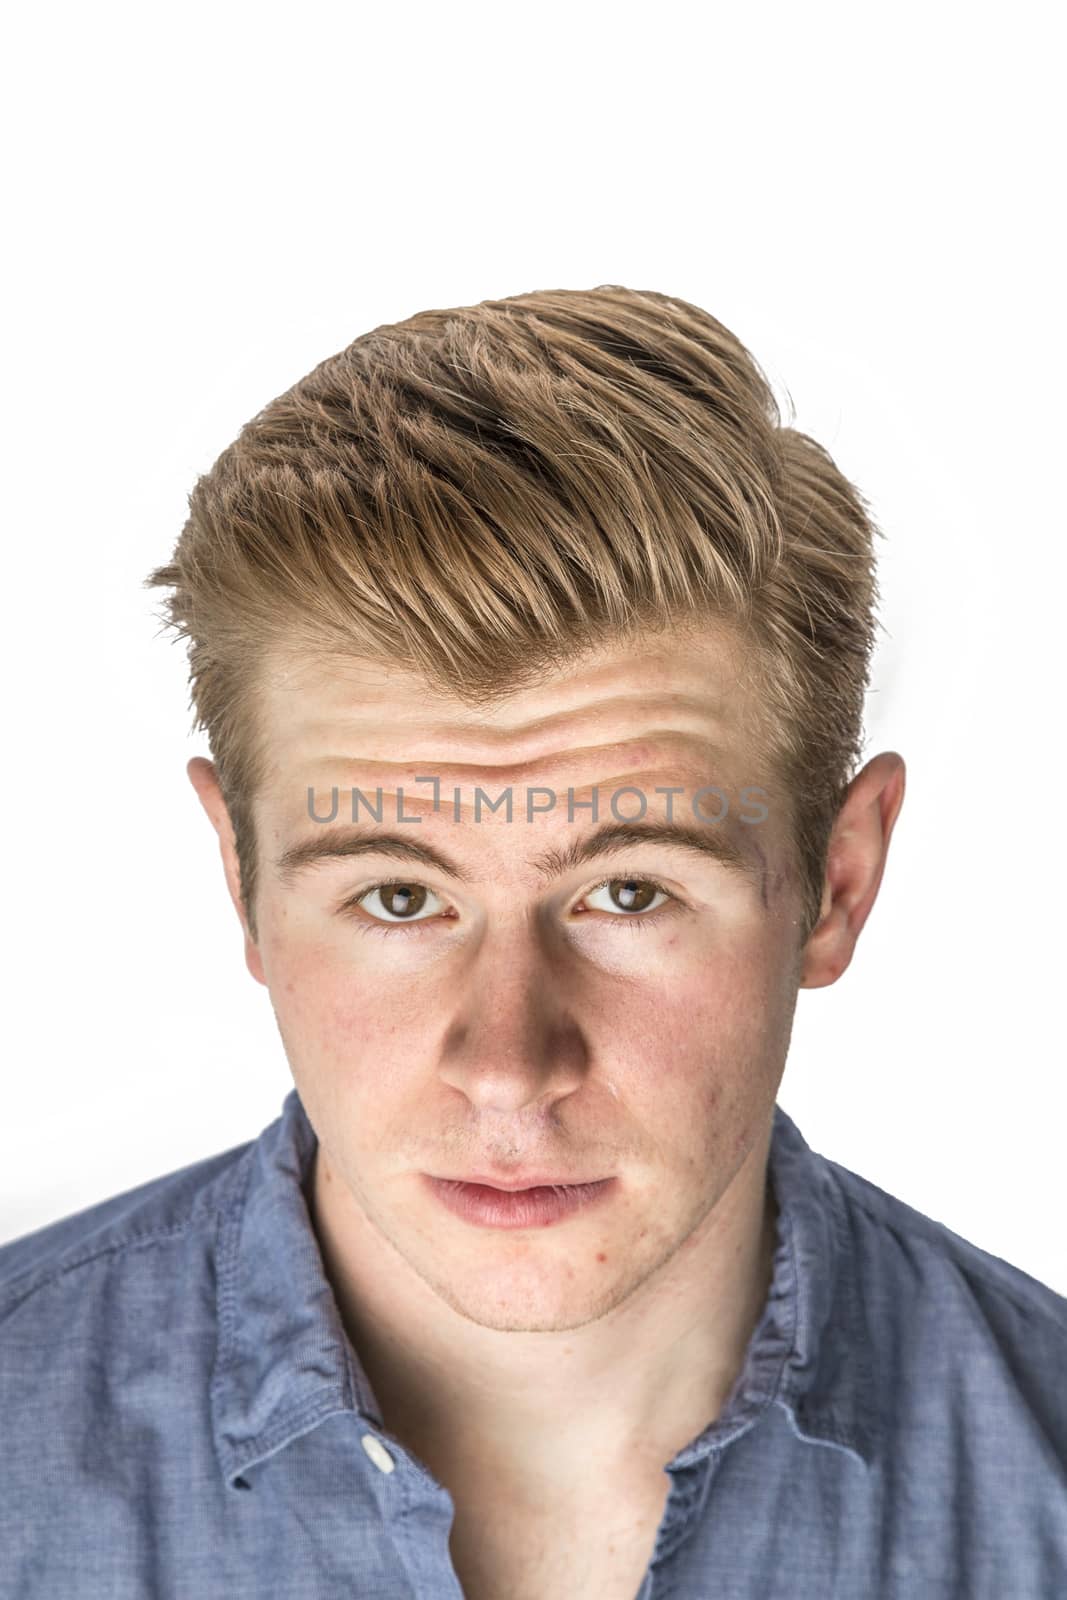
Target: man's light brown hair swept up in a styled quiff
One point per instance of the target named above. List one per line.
(486, 494)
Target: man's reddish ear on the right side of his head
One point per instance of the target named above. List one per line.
(857, 858)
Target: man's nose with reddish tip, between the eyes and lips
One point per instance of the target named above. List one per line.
(514, 1038)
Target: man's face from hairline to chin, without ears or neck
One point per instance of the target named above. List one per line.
(527, 1020)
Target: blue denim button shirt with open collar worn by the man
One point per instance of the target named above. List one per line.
(185, 1418)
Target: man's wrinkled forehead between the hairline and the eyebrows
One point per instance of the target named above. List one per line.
(669, 713)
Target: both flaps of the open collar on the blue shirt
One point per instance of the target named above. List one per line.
(284, 1362)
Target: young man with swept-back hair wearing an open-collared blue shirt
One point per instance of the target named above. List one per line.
(532, 649)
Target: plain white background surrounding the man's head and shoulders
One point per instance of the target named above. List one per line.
(207, 202)
